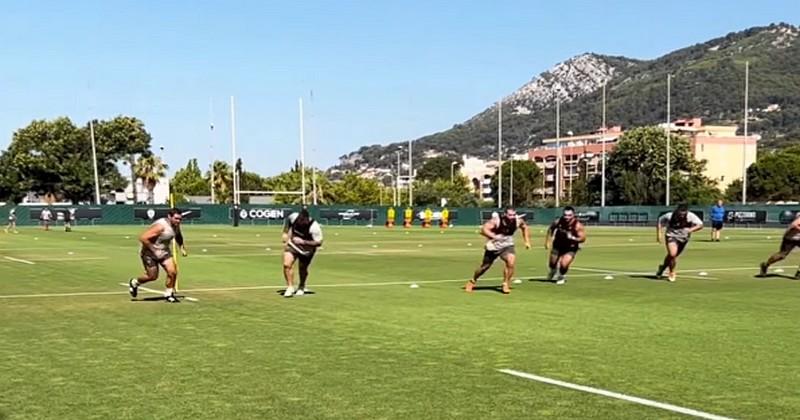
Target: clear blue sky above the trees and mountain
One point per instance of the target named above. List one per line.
(380, 71)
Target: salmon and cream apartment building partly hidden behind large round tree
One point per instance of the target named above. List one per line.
(725, 153)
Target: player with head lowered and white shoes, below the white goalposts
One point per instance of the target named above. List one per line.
(302, 235)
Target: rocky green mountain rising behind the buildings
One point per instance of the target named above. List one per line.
(707, 81)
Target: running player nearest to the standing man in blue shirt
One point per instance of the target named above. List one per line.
(680, 224)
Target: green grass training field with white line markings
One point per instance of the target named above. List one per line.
(368, 346)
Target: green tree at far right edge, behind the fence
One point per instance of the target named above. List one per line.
(773, 177)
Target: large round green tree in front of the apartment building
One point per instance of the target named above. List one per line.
(636, 171)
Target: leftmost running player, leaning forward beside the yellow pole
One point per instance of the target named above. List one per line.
(155, 252)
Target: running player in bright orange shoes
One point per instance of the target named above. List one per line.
(499, 232)
